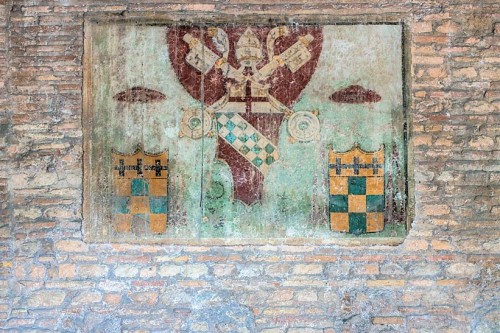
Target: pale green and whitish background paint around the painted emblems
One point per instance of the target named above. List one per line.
(295, 200)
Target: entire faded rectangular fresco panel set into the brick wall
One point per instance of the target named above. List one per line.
(246, 131)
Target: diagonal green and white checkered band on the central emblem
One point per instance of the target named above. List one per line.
(243, 137)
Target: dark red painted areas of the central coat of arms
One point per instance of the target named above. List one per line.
(284, 86)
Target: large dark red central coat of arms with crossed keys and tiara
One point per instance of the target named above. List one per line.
(250, 93)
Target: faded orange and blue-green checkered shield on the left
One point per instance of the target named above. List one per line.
(140, 192)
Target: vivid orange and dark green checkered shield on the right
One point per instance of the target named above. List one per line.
(357, 200)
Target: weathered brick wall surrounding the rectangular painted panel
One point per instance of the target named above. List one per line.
(443, 278)
